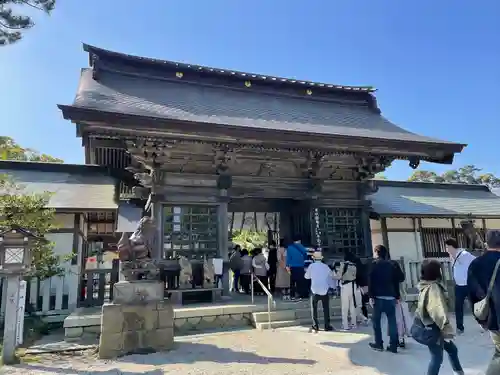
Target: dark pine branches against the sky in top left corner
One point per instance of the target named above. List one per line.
(12, 23)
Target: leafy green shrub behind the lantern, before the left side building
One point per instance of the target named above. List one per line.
(29, 211)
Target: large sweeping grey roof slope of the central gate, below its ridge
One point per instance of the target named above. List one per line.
(174, 100)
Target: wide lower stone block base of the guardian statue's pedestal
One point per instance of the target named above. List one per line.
(136, 328)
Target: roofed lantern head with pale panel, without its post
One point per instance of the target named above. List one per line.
(15, 250)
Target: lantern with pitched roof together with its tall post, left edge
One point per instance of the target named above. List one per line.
(15, 261)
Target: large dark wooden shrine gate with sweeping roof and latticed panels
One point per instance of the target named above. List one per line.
(239, 142)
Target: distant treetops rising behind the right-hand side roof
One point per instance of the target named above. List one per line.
(468, 174)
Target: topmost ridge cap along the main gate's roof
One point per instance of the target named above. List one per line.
(92, 50)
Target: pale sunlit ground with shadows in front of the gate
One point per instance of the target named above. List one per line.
(284, 351)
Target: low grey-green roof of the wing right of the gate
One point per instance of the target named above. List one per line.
(428, 199)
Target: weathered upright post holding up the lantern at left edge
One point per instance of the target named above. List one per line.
(9, 333)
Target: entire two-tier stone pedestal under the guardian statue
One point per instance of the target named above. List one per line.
(138, 320)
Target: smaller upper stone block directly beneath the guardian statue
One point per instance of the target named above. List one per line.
(142, 291)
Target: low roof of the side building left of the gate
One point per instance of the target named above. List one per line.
(71, 190)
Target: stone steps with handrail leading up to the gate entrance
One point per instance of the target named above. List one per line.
(296, 314)
